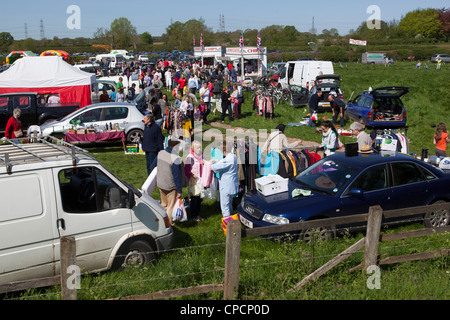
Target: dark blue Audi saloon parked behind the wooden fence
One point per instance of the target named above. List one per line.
(340, 185)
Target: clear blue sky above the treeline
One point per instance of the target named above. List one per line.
(155, 16)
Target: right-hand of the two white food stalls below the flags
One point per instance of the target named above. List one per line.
(254, 61)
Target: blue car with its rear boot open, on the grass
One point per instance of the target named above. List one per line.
(380, 108)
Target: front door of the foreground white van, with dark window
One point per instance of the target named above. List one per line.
(92, 207)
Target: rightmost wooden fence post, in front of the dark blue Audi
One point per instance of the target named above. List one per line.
(372, 236)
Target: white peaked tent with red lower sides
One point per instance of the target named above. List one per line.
(45, 75)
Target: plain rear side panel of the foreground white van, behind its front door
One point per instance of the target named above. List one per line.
(27, 226)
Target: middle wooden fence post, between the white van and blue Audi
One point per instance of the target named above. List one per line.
(232, 259)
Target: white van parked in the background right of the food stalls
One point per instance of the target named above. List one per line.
(303, 73)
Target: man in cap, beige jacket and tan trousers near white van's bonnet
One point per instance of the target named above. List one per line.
(168, 176)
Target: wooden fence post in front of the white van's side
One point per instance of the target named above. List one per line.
(68, 258)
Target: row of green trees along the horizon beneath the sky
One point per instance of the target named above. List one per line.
(418, 26)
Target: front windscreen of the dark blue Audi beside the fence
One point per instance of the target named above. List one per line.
(327, 176)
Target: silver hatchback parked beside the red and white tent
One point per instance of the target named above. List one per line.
(101, 116)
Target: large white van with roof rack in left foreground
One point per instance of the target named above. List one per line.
(50, 191)
